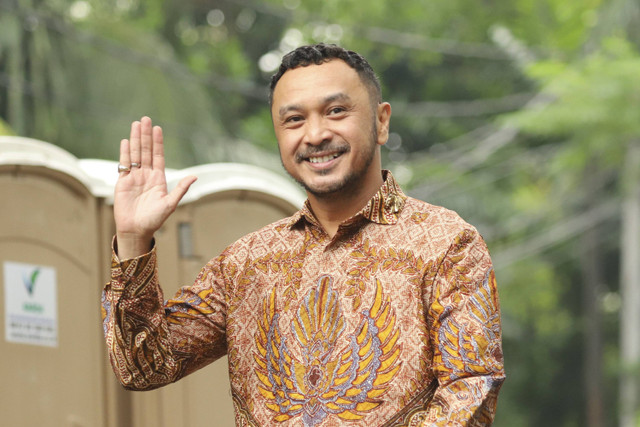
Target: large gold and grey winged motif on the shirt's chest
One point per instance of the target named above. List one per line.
(321, 384)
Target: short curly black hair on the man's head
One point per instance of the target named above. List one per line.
(320, 53)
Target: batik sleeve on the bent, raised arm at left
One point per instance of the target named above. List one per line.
(152, 343)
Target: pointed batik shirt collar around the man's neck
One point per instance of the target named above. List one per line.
(383, 208)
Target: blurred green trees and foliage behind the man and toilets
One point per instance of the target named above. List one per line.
(522, 115)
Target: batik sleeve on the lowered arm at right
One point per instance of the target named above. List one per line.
(465, 333)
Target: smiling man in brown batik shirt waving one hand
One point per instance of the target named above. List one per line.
(366, 307)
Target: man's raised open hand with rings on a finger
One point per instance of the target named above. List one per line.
(141, 200)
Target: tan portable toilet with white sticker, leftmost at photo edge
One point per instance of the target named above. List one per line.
(51, 350)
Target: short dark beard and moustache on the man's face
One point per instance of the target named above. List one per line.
(347, 185)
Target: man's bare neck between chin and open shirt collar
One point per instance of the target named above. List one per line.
(332, 210)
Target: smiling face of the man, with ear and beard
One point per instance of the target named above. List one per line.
(328, 128)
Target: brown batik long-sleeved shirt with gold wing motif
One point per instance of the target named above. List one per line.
(392, 322)
